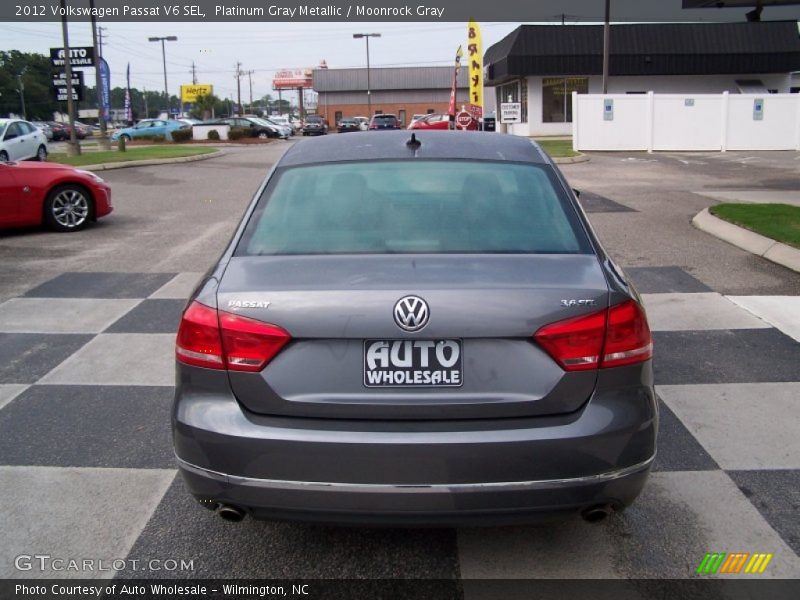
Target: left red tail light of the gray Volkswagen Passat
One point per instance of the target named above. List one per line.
(220, 340)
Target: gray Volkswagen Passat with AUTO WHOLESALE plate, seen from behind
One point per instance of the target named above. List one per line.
(414, 330)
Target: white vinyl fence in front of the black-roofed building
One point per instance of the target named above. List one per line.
(685, 122)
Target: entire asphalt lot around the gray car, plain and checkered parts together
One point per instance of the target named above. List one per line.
(86, 462)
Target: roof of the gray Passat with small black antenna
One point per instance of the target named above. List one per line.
(387, 145)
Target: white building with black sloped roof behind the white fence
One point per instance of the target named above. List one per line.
(540, 66)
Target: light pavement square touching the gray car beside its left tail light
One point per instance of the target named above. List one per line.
(119, 359)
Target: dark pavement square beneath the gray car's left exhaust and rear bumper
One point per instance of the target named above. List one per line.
(272, 550)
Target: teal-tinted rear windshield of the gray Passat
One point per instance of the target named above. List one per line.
(419, 206)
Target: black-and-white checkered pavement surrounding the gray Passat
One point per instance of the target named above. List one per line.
(86, 465)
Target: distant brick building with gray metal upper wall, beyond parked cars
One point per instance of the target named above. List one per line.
(402, 91)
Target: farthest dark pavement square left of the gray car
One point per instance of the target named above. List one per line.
(101, 285)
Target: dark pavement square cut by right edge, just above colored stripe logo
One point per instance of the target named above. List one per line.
(776, 495)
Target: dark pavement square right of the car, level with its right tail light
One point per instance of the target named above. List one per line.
(726, 356)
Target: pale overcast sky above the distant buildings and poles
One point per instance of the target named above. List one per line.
(261, 47)
